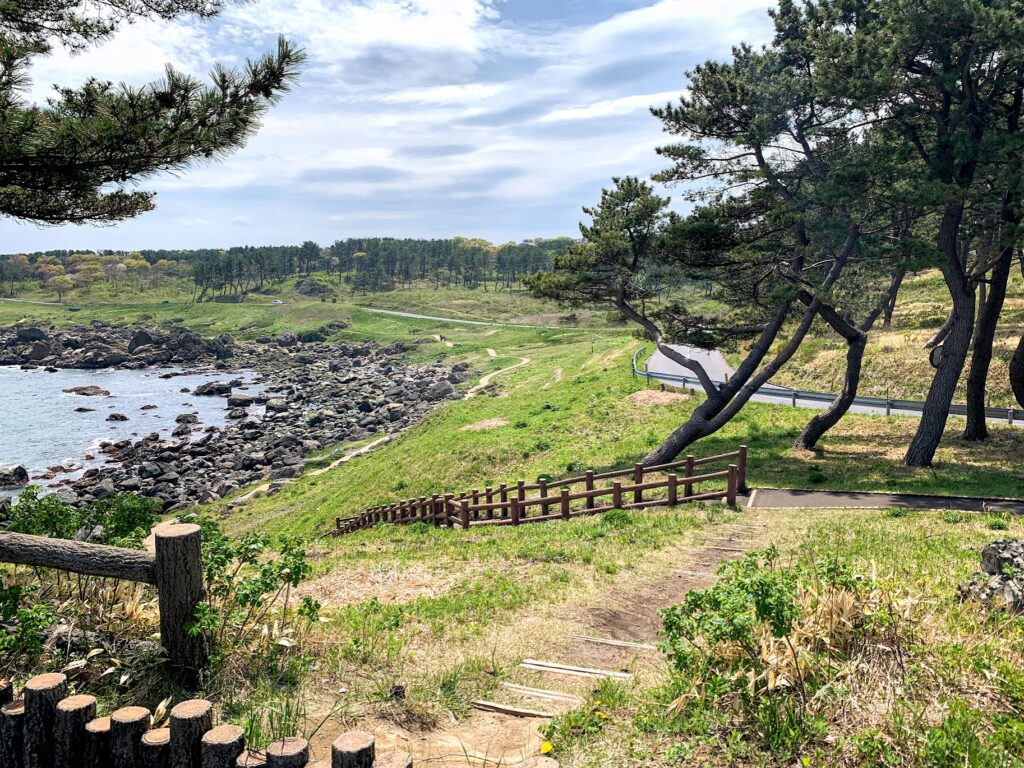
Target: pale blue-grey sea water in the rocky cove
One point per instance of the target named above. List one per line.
(39, 428)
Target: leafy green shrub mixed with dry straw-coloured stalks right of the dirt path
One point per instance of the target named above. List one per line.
(765, 639)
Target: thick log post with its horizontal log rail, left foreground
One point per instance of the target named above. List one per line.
(176, 570)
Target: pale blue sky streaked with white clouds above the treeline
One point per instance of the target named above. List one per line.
(496, 119)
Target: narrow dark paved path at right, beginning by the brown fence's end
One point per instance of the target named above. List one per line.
(796, 499)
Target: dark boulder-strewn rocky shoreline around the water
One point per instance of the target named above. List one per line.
(312, 395)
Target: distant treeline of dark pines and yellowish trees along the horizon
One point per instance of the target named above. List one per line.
(362, 265)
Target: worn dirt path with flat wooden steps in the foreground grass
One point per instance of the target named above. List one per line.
(614, 631)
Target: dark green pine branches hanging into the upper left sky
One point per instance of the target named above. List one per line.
(72, 159)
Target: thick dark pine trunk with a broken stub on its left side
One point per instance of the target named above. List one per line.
(941, 395)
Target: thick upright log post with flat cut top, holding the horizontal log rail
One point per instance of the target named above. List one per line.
(180, 586)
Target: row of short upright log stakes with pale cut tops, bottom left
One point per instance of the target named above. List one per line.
(47, 729)
